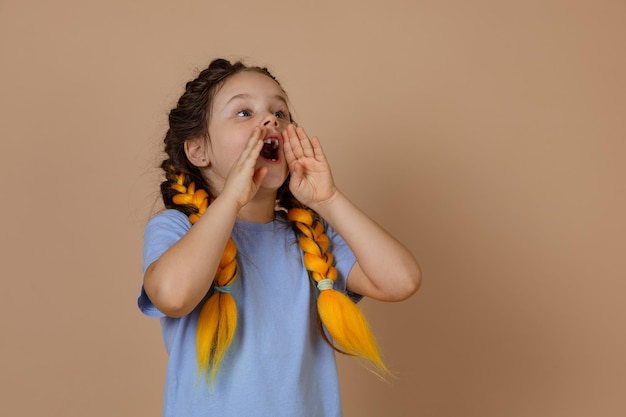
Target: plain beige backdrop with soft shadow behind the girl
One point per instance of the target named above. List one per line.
(489, 136)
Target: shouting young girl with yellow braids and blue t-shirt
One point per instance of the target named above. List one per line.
(249, 265)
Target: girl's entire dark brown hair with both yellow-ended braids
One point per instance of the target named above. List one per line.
(185, 189)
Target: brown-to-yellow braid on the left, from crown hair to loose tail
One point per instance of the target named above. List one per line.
(186, 190)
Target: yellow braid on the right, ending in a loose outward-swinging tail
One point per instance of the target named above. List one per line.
(339, 314)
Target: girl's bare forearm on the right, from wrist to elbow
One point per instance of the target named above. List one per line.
(385, 269)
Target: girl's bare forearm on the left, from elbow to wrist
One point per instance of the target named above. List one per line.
(181, 277)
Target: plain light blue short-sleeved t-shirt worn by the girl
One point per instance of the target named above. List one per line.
(278, 364)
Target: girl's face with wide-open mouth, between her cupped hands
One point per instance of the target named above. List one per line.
(246, 100)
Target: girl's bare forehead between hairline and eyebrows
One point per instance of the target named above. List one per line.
(250, 84)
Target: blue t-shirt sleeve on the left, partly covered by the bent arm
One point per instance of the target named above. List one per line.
(161, 232)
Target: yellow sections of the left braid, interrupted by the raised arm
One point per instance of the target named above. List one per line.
(217, 321)
